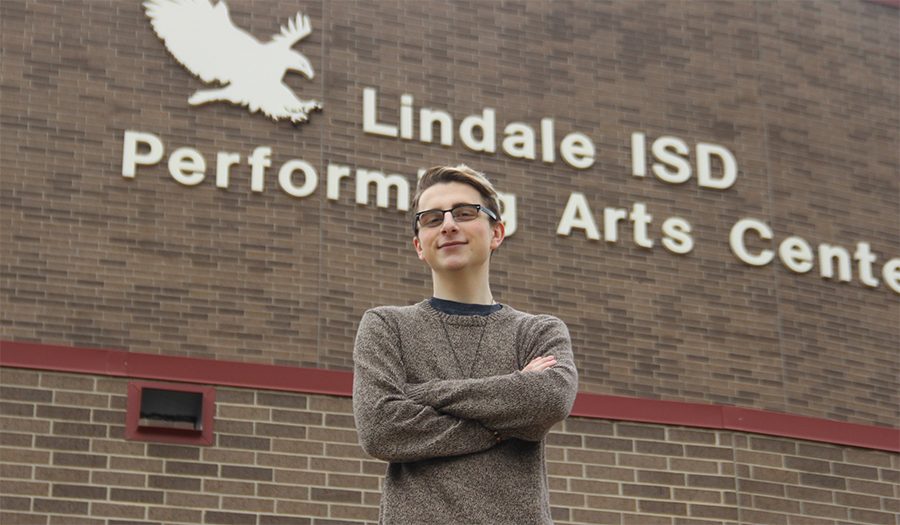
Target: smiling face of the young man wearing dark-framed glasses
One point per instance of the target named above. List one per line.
(452, 245)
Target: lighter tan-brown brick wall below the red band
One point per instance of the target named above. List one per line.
(290, 458)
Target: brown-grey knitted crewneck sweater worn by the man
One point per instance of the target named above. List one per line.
(443, 399)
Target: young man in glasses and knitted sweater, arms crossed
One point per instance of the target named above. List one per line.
(457, 392)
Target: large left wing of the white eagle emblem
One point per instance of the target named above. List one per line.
(202, 37)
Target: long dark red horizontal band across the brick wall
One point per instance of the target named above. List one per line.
(117, 363)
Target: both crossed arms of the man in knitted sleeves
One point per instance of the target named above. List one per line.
(402, 422)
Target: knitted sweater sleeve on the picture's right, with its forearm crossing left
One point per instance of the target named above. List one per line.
(523, 405)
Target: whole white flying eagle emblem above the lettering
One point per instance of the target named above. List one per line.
(202, 37)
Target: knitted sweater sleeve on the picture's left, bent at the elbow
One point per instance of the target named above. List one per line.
(391, 426)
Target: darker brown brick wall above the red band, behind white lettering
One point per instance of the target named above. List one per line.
(803, 93)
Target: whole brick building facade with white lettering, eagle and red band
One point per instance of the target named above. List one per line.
(209, 196)
